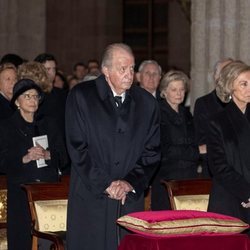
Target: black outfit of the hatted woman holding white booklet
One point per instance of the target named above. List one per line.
(16, 138)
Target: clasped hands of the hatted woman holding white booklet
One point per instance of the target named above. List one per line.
(36, 153)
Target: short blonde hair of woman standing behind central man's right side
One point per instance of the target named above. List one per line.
(170, 76)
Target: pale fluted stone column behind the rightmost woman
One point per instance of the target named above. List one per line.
(220, 29)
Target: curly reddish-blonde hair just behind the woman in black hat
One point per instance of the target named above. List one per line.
(36, 72)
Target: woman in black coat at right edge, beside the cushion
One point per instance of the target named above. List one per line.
(229, 143)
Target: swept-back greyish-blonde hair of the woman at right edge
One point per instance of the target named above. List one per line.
(224, 84)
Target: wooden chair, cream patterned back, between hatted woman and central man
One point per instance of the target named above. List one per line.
(46, 197)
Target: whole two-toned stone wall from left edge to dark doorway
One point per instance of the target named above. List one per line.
(71, 30)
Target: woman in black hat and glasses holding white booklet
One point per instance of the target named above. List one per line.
(19, 155)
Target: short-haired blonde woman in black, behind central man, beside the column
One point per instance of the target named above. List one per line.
(180, 154)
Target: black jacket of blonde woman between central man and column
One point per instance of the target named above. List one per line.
(179, 150)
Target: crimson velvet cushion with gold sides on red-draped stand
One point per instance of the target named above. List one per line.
(176, 222)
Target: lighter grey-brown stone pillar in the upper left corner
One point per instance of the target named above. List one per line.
(22, 27)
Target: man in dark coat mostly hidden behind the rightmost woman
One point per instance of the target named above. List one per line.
(205, 107)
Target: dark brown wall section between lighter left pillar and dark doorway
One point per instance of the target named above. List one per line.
(80, 30)
